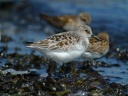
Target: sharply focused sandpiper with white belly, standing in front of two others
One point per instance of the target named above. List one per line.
(66, 46)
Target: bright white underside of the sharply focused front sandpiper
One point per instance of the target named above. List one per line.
(64, 56)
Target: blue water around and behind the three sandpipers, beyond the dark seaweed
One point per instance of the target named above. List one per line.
(20, 22)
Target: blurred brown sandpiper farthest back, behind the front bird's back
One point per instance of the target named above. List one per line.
(67, 22)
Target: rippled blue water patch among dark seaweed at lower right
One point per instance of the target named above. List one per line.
(118, 74)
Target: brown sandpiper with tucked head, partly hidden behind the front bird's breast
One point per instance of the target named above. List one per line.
(97, 48)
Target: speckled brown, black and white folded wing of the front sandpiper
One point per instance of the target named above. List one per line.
(58, 42)
